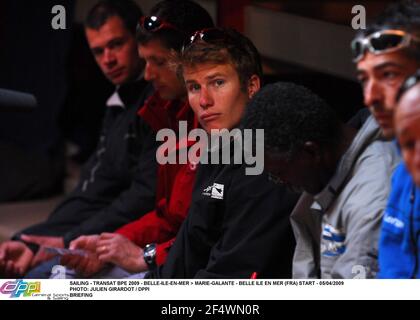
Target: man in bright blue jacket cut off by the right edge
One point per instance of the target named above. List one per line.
(399, 250)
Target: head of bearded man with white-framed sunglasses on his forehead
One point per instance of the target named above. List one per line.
(385, 54)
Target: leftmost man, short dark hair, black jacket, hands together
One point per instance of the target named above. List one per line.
(117, 184)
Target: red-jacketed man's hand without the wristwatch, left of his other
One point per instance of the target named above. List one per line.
(86, 266)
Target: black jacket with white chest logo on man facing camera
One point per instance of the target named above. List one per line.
(234, 232)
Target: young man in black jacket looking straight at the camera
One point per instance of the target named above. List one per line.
(238, 224)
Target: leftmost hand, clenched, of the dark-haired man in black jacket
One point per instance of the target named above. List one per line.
(15, 259)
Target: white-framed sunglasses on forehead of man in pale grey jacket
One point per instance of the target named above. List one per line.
(381, 42)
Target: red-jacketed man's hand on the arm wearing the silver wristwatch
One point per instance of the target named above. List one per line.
(117, 249)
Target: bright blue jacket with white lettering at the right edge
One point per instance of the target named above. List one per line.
(399, 250)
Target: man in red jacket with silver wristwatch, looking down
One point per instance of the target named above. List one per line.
(159, 37)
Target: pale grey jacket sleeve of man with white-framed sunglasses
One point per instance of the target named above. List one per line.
(362, 216)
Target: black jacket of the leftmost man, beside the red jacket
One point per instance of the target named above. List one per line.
(118, 182)
